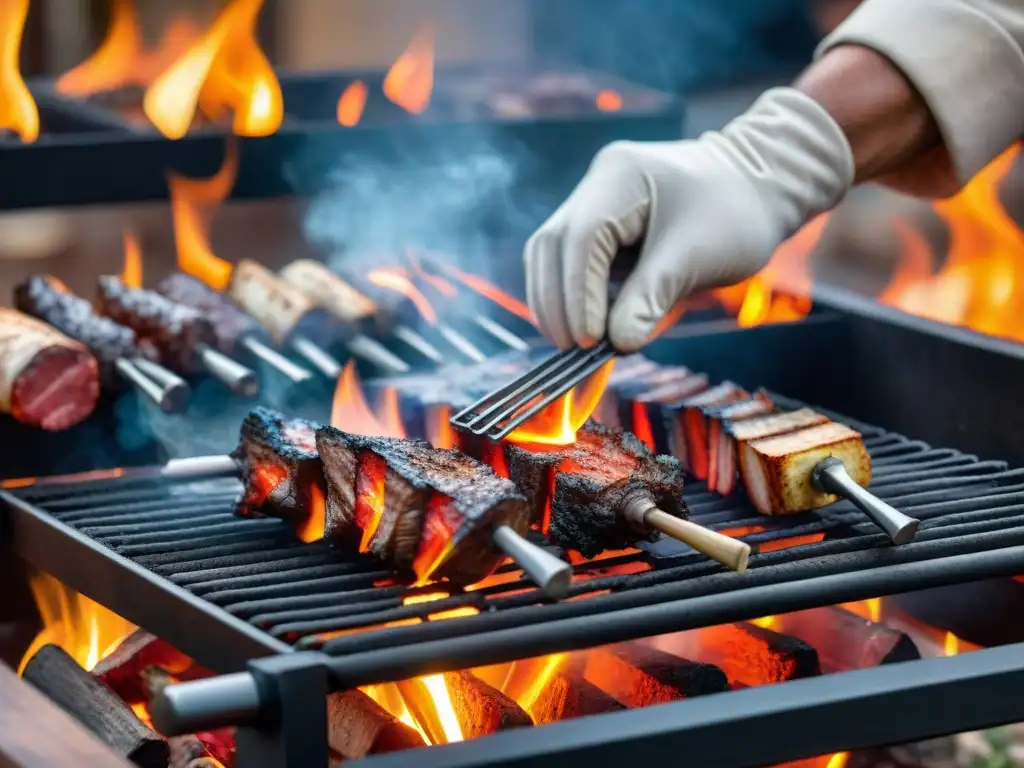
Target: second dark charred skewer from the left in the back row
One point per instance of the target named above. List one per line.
(183, 336)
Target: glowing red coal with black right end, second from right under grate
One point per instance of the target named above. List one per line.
(748, 655)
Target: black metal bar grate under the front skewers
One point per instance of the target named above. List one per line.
(310, 598)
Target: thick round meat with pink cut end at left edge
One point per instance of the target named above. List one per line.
(49, 380)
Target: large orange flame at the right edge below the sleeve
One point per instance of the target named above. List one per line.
(982, 284)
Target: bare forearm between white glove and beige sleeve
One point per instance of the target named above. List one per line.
(883, 116)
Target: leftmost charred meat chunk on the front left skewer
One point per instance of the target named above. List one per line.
(280, 466)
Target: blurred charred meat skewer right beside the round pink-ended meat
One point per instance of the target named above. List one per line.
(115, 347)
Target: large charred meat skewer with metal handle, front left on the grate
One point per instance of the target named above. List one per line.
(439, 513)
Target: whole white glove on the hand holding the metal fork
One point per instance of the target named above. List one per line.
(711, 212)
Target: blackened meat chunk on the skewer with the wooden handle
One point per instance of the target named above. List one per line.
(580, 493)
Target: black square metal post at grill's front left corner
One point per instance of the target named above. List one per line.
(293, 692)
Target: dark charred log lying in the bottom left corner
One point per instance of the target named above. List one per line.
(58, 675)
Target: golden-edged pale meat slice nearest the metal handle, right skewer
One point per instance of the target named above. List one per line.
(777, 471)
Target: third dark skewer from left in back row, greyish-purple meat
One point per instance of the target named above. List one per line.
(234, 330)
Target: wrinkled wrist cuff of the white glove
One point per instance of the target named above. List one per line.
(793, 152)
